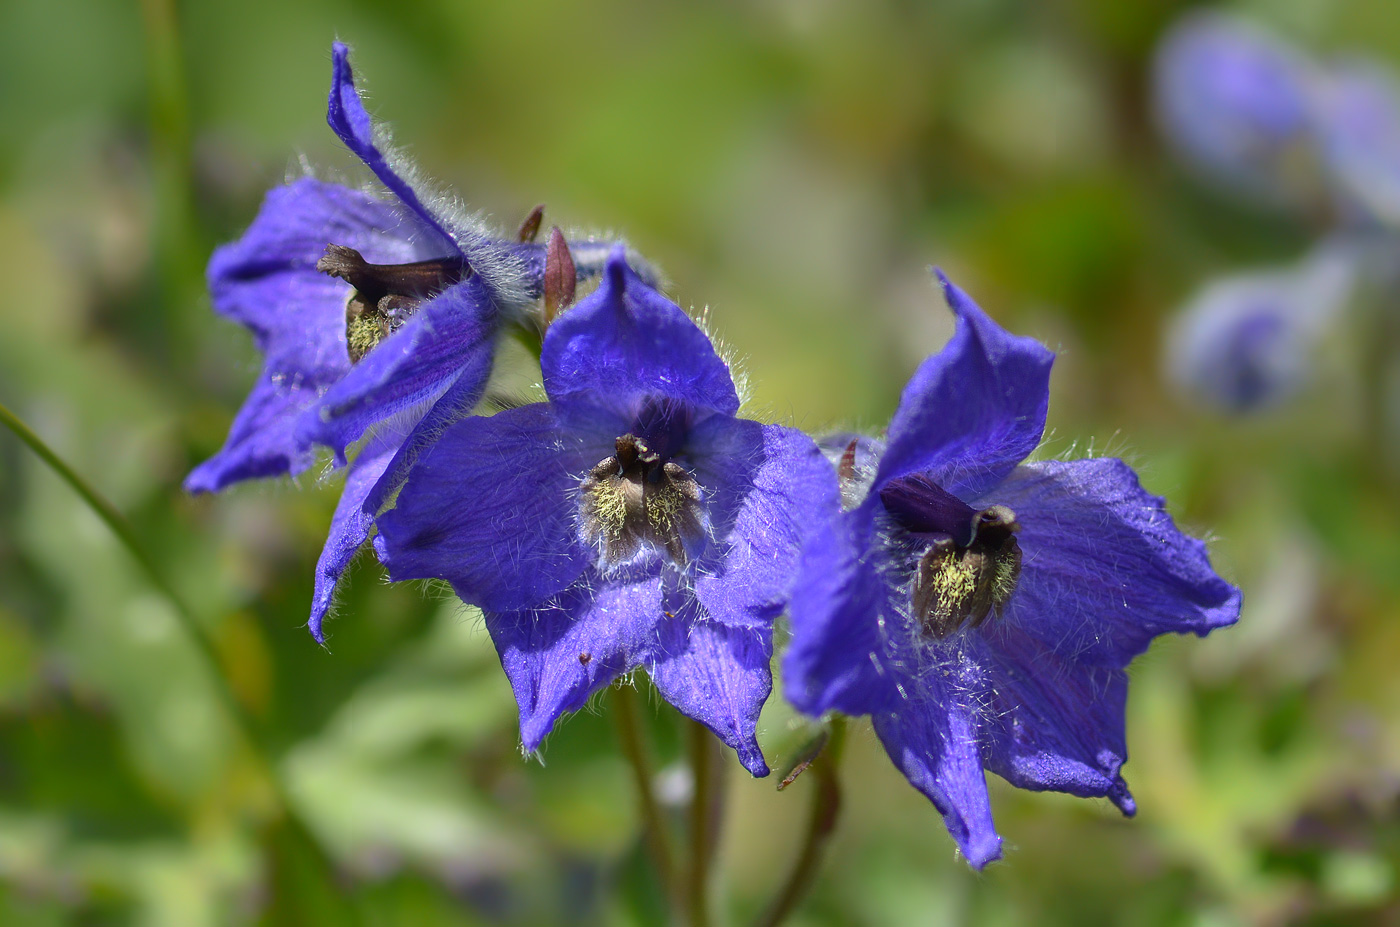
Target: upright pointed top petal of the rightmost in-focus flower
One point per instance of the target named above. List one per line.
(972, 411)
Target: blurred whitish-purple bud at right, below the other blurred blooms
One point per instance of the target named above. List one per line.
(1247, 342)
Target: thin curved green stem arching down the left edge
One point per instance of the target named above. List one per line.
(194, 631)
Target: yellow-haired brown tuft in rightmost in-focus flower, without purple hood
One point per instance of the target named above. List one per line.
(961, 586)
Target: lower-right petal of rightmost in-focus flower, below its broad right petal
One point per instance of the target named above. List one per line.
(1051, 723)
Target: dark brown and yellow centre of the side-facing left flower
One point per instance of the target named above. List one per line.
(386, 295)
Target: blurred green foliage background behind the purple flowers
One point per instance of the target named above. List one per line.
(796, 167)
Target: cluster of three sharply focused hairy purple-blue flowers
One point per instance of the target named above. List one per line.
(979, 608)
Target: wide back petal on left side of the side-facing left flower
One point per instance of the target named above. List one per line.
(268, 281)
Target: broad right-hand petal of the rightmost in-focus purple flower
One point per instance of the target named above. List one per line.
(1104, 566)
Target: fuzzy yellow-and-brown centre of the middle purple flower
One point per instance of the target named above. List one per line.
(636, 499)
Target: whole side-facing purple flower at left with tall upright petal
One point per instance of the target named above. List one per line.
(377, 317)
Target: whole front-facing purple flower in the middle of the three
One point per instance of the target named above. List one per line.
(633, 520)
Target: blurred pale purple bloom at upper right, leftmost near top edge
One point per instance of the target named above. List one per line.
(1237, 102)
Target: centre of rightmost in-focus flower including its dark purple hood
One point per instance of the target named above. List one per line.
(972, 561)
